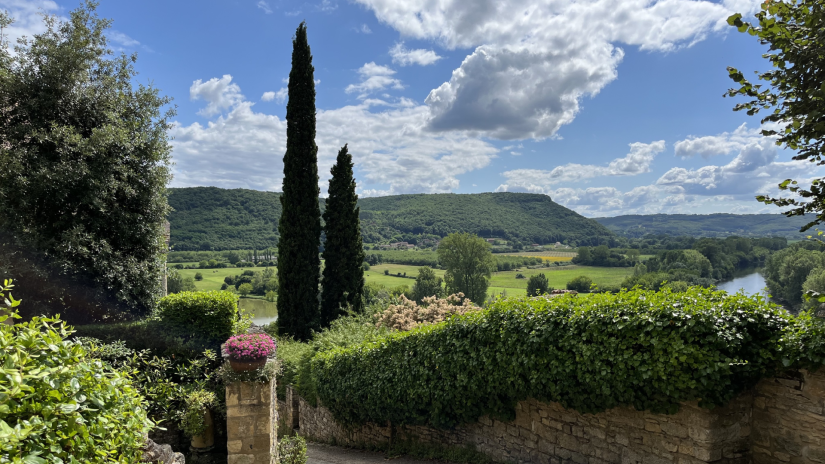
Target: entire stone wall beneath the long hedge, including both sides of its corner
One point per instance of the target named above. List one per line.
(780, 421)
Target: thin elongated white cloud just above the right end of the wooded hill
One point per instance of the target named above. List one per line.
(636, 162)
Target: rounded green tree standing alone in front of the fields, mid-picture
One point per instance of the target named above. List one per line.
(469, 265)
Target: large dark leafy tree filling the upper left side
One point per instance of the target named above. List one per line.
(85, 158)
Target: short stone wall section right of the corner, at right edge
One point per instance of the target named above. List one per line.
(789, 419)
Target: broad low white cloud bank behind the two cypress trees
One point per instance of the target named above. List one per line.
(393, 151)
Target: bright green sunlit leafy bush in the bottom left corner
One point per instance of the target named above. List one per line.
(59, 405)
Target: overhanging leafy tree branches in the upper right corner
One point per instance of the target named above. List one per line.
(793, 32)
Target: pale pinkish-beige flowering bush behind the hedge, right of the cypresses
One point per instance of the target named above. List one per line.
(407, 315)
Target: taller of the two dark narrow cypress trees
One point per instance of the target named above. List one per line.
(300, 224)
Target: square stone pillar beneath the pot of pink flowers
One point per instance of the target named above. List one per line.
(251, 422)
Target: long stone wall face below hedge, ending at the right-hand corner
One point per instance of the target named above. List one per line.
(548, 433)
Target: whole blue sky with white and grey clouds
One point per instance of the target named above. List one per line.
(610, 107)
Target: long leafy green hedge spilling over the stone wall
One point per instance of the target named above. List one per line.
(639, 348)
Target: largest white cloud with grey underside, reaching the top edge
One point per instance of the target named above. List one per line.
(534, 60)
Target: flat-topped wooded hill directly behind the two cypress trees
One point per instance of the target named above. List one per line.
(207, 218)
